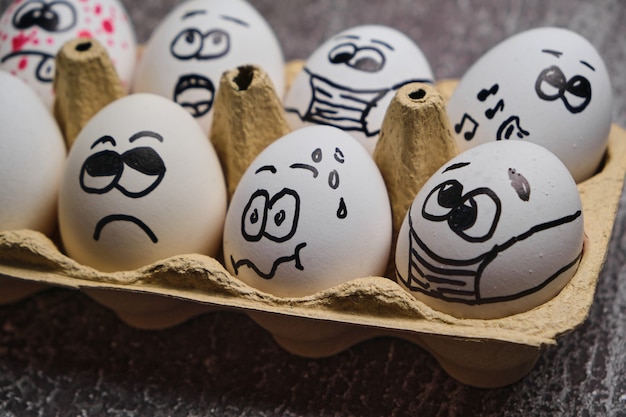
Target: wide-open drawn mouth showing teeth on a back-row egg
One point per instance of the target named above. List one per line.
(195, 93)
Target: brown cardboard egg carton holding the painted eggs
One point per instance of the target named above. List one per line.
(483, 353)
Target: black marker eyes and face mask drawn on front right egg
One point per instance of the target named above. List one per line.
(458, 280)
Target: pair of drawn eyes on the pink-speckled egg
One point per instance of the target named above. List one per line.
(57, 16)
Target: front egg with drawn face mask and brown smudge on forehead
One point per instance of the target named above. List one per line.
(496, 231)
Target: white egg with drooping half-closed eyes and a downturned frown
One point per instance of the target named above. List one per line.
(142, 183)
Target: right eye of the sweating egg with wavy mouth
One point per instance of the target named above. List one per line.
(283, 213)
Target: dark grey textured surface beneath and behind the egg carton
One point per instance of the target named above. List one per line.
(62, 354)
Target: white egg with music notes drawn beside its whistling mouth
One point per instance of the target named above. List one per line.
(548, 86)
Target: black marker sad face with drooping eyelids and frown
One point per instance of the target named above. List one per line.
(103, 171)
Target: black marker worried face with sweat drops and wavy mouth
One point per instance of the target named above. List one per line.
(276, 217)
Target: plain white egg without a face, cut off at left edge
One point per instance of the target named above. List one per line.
(32, 157)
